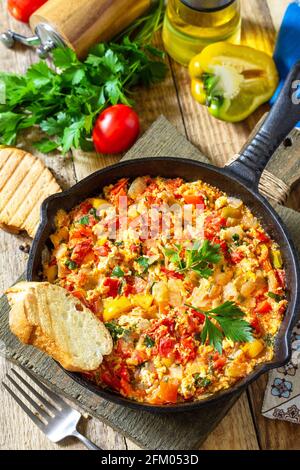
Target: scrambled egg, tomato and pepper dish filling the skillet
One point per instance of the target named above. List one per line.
(190, 313)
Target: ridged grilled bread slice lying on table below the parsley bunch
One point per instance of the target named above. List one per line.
(24, 183)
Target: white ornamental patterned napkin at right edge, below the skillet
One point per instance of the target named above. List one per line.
(282, 396)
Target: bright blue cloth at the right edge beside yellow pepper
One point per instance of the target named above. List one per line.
(287, 51)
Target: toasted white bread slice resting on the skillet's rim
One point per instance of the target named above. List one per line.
(51, 319)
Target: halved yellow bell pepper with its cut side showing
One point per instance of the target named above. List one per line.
(232, 81)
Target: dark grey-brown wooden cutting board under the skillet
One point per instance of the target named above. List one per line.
(151, 431)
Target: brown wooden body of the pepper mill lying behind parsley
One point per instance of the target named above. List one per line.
(82, 23)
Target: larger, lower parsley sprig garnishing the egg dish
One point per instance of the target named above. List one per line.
(230, 324)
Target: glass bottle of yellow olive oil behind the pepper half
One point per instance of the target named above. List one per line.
(191, 25)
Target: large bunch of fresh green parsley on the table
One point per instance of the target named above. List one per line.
(65, 102)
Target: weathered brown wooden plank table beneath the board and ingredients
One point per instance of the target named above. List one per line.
(244, 427)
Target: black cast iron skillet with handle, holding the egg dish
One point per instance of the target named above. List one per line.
(239, 179)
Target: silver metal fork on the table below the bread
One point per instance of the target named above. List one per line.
(57, 419)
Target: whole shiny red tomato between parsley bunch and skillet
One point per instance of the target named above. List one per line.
(116, 129)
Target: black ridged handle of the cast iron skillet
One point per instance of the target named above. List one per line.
(280, 121)
